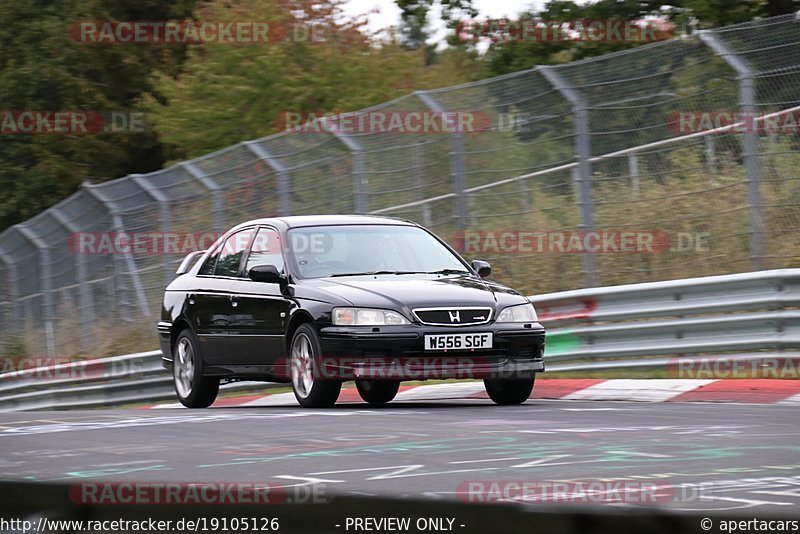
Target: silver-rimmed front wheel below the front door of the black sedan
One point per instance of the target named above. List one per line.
(310, 391)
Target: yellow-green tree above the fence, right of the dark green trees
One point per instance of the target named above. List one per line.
(231, 93)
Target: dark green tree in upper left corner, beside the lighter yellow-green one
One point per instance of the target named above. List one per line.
(43, 69)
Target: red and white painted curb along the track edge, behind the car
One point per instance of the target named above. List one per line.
(760, 391)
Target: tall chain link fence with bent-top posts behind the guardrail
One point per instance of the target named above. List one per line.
(581, 153)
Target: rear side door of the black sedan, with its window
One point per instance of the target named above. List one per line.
(209, 306)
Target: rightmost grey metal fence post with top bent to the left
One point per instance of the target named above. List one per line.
(747, 106)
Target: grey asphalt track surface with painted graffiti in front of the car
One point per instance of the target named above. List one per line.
(705, 456)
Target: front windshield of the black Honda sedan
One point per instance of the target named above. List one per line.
(323, 251)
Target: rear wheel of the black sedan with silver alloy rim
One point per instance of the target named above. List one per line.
(192, 388)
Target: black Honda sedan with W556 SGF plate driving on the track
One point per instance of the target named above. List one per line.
(318, 300)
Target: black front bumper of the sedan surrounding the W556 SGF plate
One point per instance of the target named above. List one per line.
(398, 353)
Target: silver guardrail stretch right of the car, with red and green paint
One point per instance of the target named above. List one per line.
(739, 316)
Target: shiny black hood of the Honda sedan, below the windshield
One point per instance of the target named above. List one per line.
(406, 292)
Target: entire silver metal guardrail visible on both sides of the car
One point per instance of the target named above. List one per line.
(734, 318)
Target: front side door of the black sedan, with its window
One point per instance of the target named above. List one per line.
(258, 326)
